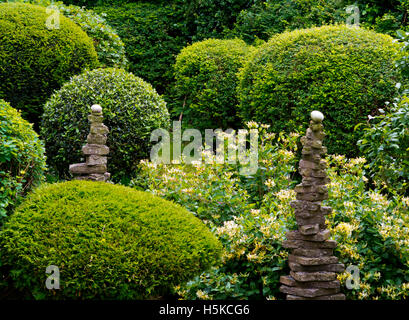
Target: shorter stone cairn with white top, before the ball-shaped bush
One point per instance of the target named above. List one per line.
(95, 151)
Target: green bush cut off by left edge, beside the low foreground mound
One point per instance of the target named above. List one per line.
(22, 160)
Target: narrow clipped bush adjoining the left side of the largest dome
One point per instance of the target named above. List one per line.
(206, 81)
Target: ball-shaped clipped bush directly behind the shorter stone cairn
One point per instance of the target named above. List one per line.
(132, 110)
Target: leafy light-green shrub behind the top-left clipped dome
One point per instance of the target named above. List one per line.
(109, 47)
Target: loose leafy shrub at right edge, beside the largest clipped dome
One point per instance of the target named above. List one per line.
(385, 143)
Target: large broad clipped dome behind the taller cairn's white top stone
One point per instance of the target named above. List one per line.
(345, 72)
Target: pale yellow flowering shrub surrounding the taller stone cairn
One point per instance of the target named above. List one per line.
(251, 215)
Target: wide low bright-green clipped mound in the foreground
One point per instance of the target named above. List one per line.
(108, 241)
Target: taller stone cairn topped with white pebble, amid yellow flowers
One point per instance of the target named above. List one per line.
(313, 267)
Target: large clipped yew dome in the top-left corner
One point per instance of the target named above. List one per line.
(36, 59)
